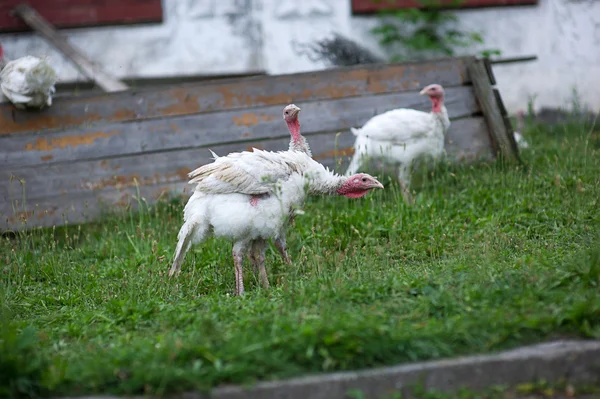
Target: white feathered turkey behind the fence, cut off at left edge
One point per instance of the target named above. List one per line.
(27, 81)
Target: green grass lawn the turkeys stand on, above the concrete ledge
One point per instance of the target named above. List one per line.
(489, 257)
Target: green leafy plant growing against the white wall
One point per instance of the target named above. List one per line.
(420, 33)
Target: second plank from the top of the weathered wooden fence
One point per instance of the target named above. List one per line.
(119, 139)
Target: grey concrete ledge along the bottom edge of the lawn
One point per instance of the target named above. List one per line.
(576, 361)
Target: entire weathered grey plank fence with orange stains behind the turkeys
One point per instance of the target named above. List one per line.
(70, 162)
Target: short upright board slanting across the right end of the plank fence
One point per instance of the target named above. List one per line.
(500, 135)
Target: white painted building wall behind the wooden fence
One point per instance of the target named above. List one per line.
(204, 37)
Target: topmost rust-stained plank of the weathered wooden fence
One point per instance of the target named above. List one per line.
(232, 94)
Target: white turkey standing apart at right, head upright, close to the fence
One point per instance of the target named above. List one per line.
(400, 136)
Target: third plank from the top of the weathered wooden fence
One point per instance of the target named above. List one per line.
(467, 139)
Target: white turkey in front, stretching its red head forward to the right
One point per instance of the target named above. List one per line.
(248, 197)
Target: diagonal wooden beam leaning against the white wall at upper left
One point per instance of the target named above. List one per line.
(33, 19)
